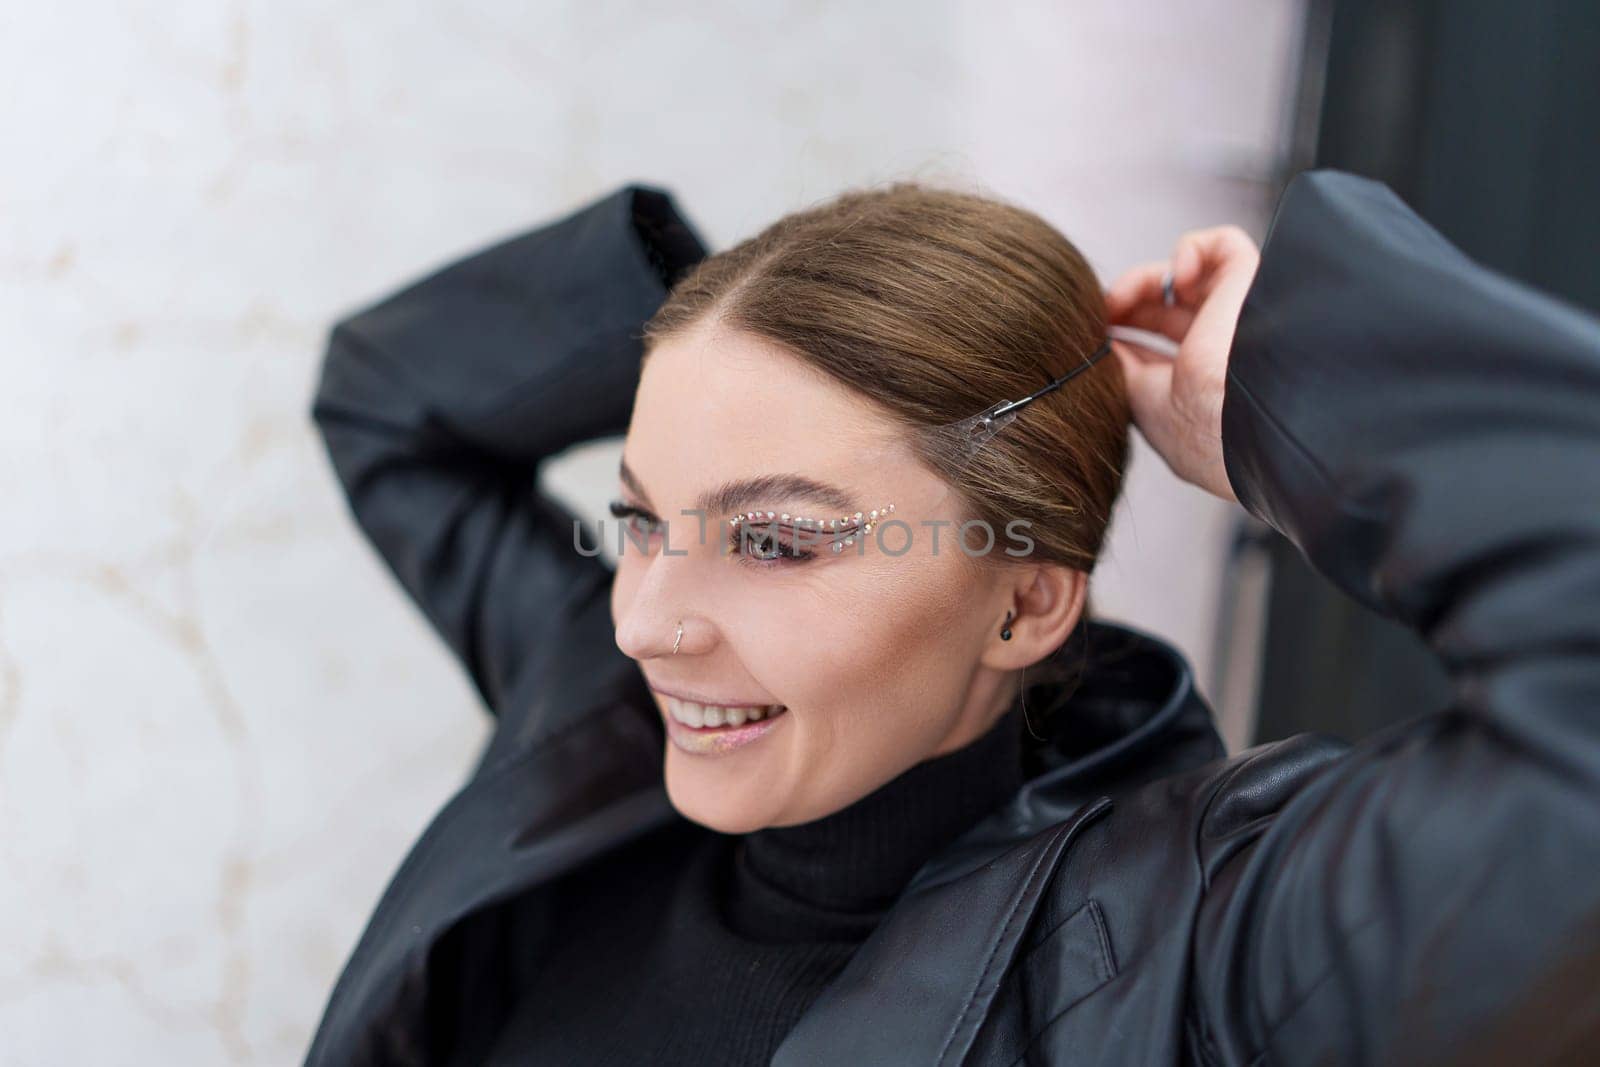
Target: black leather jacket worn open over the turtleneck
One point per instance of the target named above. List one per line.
(1425, 431)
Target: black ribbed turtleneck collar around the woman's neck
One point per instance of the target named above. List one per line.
(836, 876)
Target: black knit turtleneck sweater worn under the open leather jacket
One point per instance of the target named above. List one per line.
(702, 948)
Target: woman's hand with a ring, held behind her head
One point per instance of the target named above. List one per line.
(1178, 402)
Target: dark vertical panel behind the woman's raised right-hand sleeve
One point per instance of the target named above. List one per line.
(1486, 118)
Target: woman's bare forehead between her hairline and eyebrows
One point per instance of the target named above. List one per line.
(719, 404)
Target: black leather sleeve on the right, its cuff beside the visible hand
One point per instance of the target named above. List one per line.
(1428, 434)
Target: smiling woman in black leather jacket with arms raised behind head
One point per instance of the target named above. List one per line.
(769, 802)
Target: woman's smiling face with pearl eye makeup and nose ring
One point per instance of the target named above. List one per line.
(876, 657)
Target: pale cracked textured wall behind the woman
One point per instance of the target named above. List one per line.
(220, 722)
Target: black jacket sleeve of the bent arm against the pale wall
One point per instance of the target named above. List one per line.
(439, 402)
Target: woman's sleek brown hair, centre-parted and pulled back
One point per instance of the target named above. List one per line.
(938, 305)
